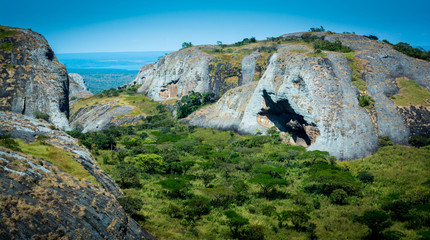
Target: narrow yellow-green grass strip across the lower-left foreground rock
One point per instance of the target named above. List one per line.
(58, 157)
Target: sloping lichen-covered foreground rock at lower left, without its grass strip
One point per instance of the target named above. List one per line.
(39, 201)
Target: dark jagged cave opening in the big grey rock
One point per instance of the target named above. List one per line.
(286, 119)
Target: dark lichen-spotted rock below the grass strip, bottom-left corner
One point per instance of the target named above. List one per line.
(39, 201)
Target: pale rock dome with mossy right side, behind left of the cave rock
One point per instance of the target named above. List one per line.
(200, 69)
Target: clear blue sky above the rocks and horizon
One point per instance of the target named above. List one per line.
(80, 26)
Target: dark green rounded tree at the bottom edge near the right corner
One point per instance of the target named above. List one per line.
(377, 221)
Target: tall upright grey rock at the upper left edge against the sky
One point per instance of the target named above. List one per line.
(31, 77)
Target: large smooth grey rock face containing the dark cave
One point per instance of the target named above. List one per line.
(315, 101)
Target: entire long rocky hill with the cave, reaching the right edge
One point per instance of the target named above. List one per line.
(313, 96)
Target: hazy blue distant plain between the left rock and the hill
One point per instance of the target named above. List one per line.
(103, 71)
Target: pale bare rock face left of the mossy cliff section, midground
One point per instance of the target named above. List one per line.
(175, 74)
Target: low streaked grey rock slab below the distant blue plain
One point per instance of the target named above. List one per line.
(102, 116)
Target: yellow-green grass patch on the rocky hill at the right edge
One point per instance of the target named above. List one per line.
(410, 93)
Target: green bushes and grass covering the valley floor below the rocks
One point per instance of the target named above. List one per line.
(207, 184)
